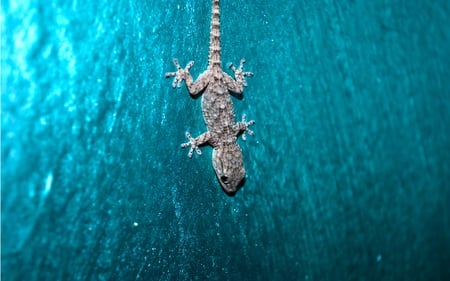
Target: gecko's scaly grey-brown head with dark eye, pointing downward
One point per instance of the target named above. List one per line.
(229, 167)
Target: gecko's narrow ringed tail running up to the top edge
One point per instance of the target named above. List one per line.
(214, 39)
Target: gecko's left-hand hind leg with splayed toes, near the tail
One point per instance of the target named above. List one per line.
(181, 74)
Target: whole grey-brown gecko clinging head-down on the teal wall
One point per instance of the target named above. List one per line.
(215, 86)
